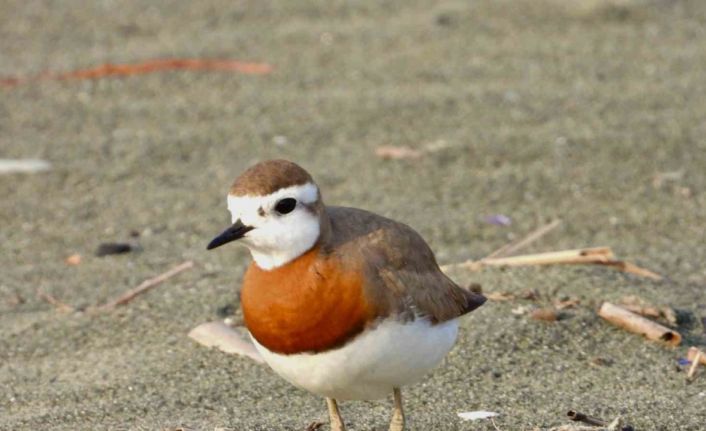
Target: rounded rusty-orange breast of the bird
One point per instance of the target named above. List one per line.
(308, 305)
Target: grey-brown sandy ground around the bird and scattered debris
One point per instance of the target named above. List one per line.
(541, 109)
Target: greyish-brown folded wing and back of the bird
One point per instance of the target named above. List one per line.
(403, 278)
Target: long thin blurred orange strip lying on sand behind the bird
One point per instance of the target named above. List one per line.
(150, 66)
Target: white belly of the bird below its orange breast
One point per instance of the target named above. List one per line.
(391, 355)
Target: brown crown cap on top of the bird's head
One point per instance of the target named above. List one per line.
(268, 177)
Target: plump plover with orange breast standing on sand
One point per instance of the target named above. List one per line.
(341, 302)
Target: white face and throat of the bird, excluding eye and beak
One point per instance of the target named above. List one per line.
(277, 239)
